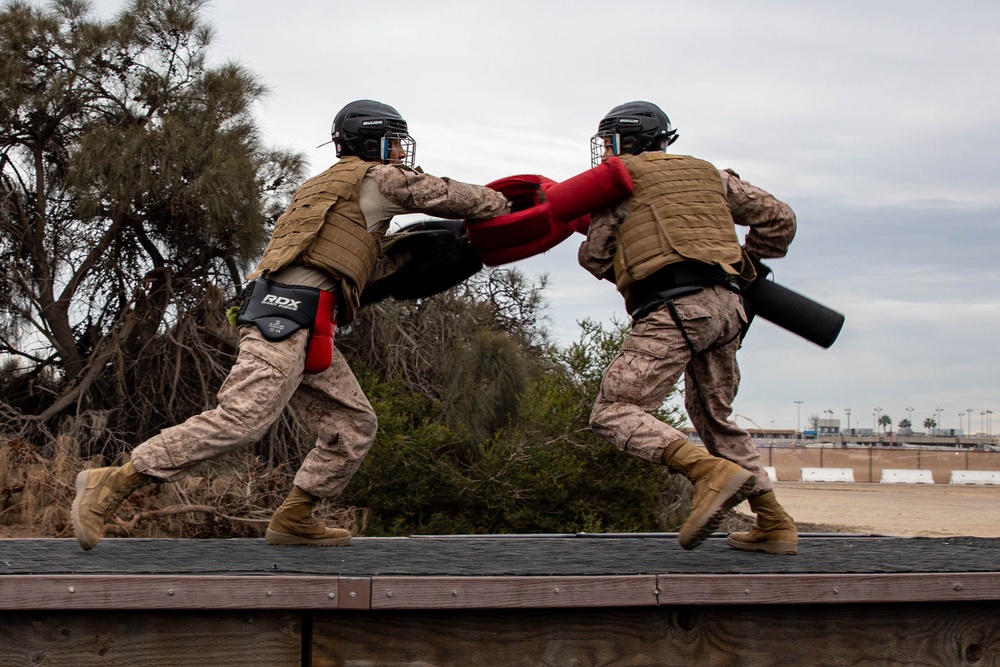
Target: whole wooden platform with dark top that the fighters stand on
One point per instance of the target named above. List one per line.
(503, 600)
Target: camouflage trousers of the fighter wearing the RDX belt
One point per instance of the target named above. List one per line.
(266, 377)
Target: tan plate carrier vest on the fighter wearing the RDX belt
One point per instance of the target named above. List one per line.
(325, 228)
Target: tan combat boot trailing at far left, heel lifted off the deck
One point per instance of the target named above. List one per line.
(99, 492)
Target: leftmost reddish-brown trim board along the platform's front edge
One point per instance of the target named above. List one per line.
(167, 592)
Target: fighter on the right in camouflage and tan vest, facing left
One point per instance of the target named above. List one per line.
(672, 251)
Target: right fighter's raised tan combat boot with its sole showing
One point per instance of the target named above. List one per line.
(719, 485)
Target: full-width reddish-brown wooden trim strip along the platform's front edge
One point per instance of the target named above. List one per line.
(68, 592)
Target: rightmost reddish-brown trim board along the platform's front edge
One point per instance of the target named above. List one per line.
(827, 588)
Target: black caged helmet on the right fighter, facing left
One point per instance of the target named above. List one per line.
(633, 127)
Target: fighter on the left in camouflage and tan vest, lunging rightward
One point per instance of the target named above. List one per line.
(329, 238)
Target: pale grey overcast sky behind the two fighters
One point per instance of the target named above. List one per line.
(877, 121)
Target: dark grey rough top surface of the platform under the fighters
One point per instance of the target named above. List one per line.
(496, 556)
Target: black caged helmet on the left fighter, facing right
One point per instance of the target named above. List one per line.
(371, 131)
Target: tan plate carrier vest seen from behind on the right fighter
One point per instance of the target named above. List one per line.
(679, 212)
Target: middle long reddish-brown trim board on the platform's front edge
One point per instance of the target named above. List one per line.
(511, 592)
